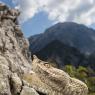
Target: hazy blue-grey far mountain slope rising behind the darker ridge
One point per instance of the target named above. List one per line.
(69, 33)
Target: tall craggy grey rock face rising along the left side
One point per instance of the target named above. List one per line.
(13, 63)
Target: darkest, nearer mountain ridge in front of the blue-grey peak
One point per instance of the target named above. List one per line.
(61, 54)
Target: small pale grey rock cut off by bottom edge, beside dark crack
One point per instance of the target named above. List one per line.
(28, 91)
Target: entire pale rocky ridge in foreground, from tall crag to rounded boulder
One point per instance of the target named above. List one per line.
(17, 76)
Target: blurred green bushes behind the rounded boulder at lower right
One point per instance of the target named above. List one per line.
(86, 75)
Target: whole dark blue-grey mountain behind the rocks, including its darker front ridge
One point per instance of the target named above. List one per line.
(65, 43)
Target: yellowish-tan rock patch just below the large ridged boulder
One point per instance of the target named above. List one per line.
(32, 80)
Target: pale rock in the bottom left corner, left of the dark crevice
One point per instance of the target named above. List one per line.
(4, 77)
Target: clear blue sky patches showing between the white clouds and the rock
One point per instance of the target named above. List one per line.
(35, 25)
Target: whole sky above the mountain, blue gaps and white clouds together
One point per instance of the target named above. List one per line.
(38, 15)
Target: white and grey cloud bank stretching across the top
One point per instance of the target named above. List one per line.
(80, 11)
